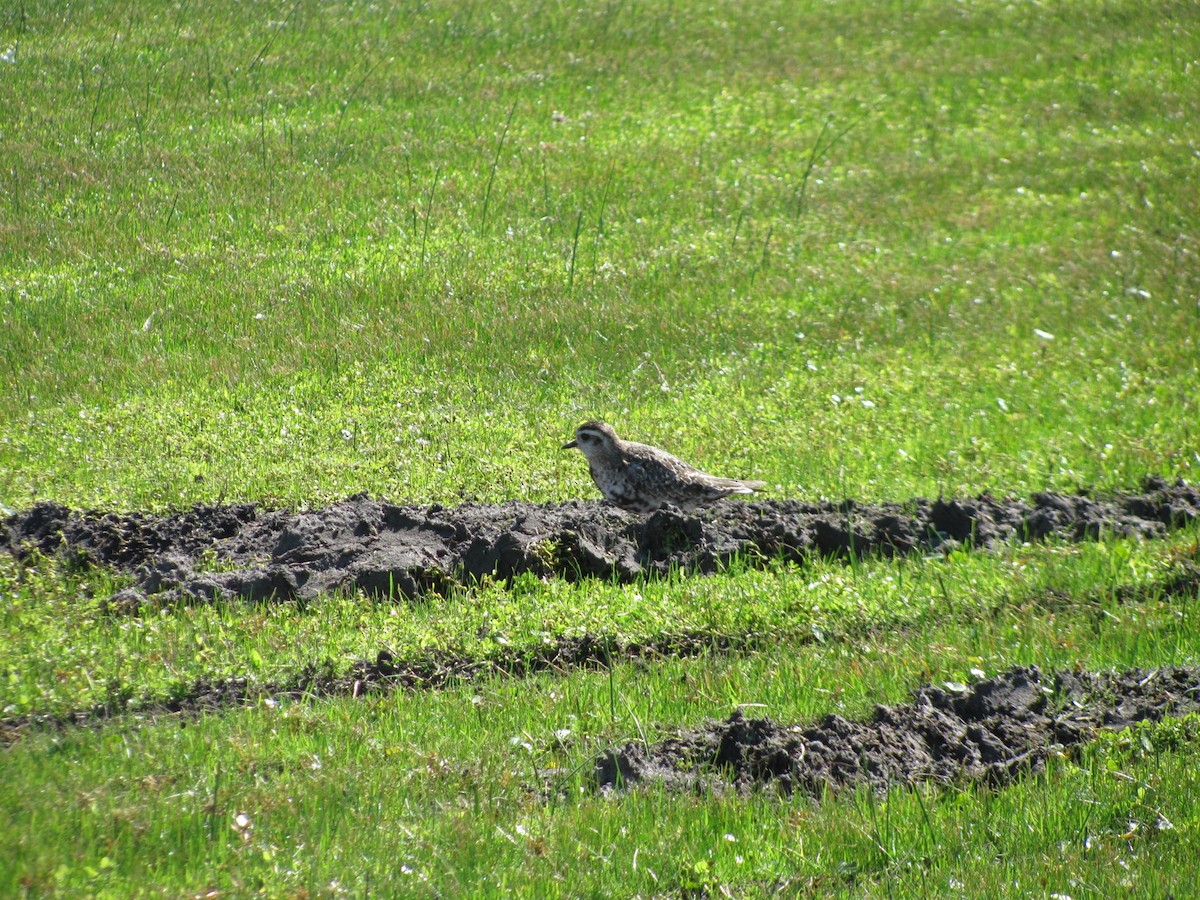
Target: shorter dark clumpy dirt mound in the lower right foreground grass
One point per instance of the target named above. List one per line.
(991, 731)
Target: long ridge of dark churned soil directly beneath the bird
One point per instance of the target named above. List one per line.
(245, 550)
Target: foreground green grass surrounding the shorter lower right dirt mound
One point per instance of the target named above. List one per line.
(484, 784)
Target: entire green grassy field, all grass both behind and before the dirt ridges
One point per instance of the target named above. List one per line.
(292, 251)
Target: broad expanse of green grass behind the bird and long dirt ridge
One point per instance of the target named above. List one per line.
(407, 250)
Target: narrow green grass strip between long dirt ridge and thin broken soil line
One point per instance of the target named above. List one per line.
(64, 651)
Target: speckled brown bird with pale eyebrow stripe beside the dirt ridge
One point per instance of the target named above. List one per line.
(644, 479)
